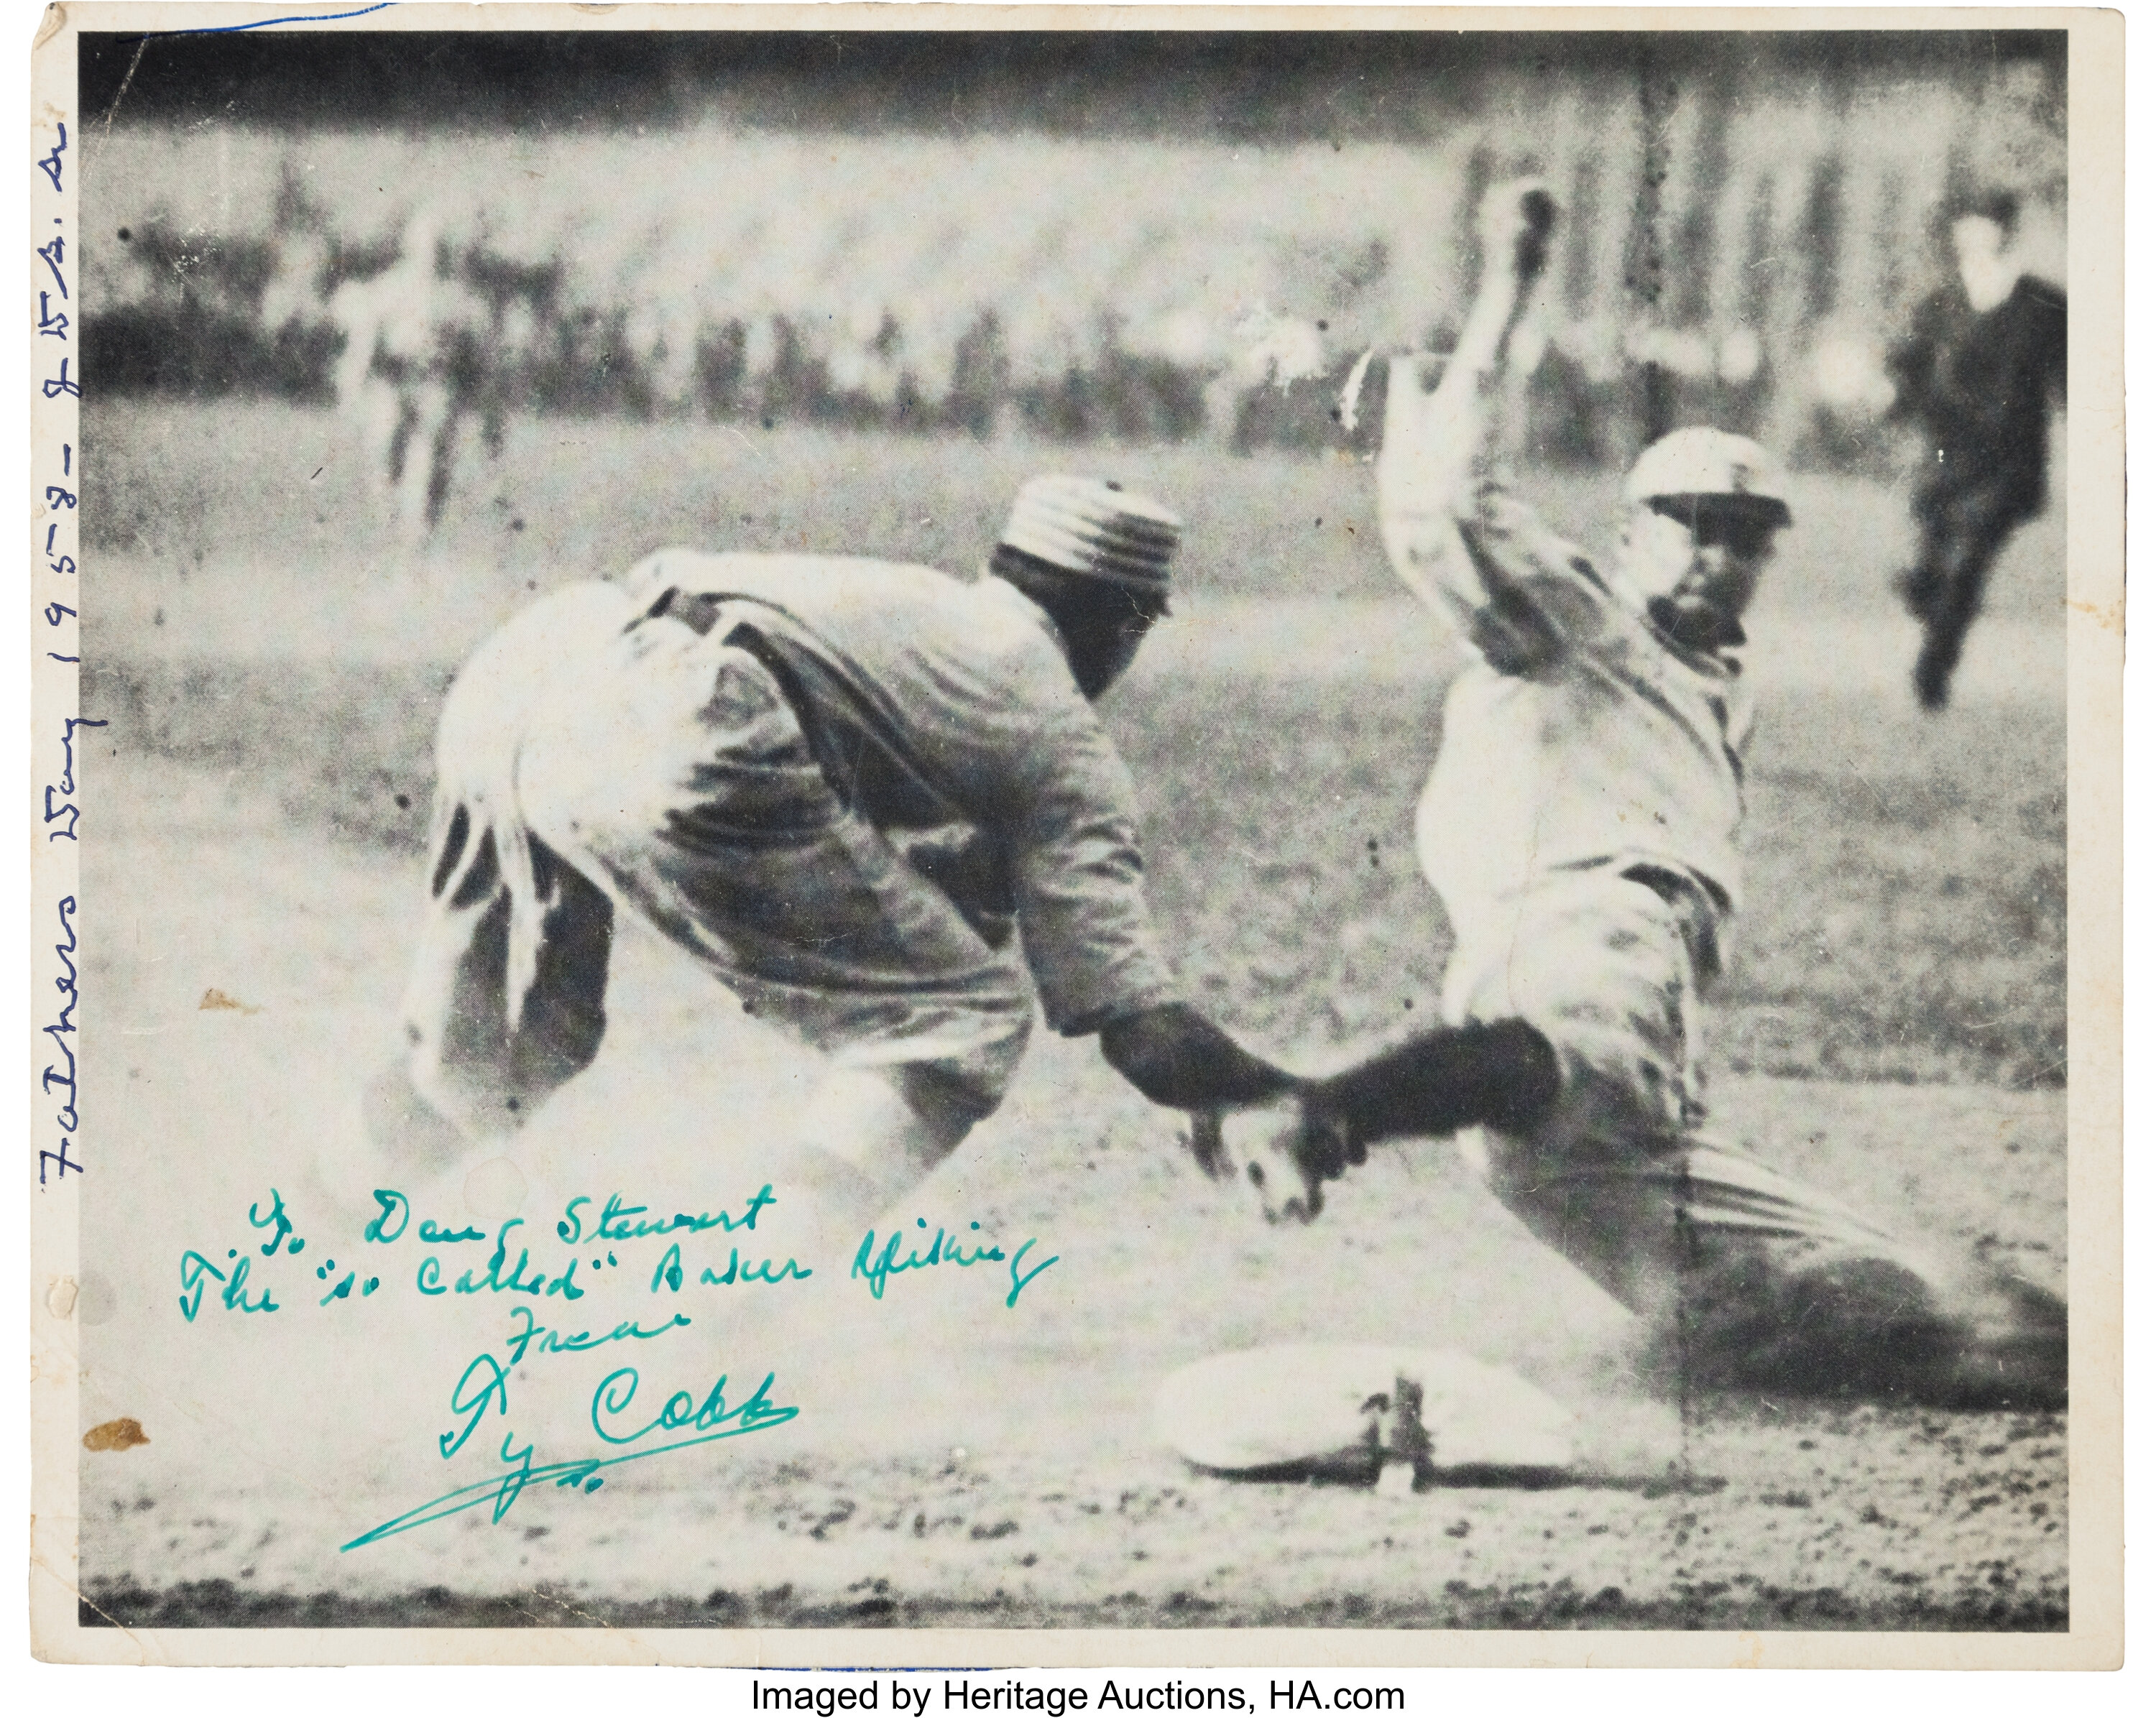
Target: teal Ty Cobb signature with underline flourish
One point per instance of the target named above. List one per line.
(713, 1419)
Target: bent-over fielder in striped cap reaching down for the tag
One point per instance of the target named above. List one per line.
(870, 799)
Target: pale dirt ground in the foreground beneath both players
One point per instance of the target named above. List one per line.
(958, 1458)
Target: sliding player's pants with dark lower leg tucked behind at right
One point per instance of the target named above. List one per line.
(1745, 1275)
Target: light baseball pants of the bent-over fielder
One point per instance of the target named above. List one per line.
(663, 768)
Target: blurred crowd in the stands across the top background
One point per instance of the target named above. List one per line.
(1745, 240)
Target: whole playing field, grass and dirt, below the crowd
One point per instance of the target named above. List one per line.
(1892, 1025)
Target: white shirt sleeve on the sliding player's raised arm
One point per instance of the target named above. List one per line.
(1471, 549)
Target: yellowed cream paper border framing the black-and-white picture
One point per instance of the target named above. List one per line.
(2095, 493)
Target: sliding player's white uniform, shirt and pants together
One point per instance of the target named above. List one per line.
(1581, 827)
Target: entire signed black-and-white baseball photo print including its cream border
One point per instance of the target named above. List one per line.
(1075, 829)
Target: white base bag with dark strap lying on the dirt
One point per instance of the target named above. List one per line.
(1364, 1413)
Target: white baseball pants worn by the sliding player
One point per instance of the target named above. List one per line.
(1620, 1176)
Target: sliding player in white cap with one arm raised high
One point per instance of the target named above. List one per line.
(1581, 827)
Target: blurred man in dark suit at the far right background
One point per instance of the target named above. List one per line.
(1978, 374)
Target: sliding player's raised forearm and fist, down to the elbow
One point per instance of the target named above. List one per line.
(1439, 447)
